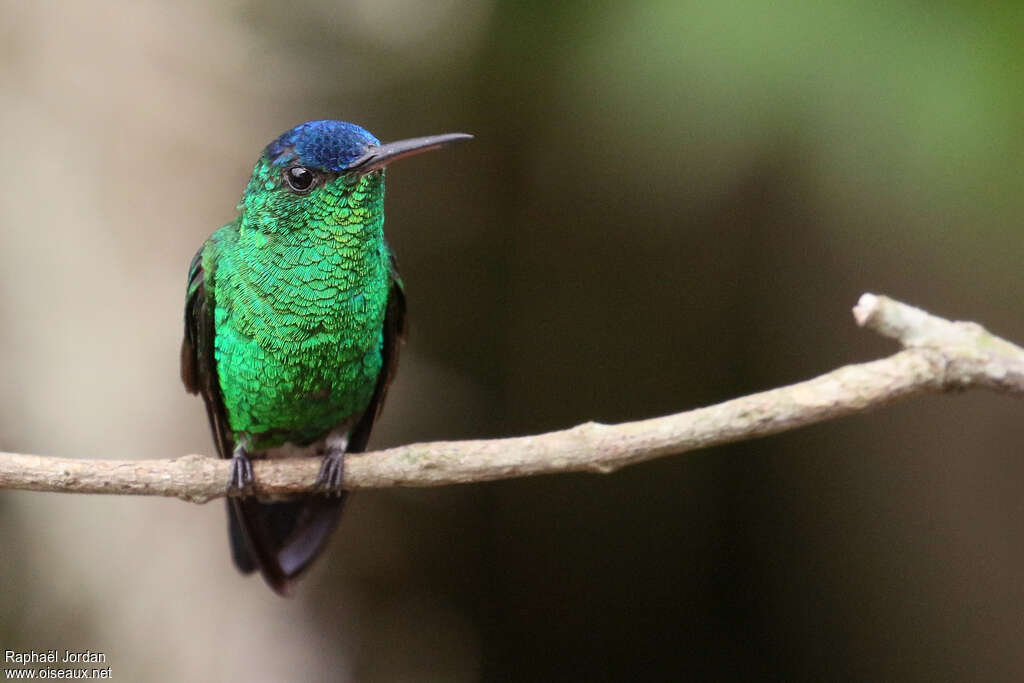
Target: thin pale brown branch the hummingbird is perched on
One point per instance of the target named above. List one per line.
(938, 356)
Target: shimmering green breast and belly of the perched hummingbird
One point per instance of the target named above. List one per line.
(298, 328)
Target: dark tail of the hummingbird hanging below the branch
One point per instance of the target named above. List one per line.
(282, 539)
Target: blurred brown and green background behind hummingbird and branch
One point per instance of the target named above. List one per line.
(668, 204)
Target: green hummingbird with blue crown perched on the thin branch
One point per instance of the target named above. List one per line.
(294, 314)
